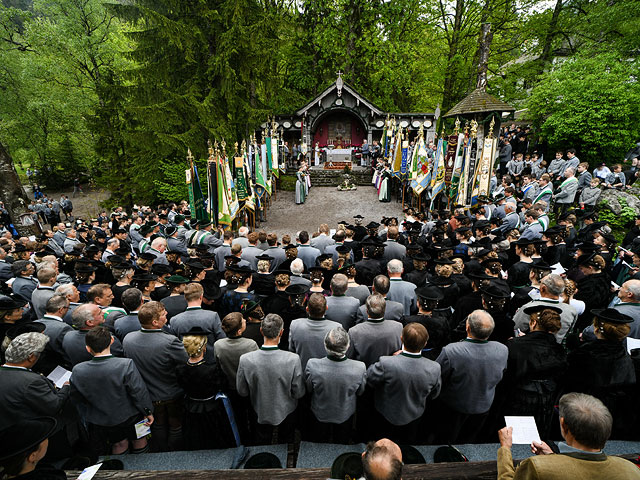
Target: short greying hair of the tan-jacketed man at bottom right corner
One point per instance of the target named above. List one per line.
(587, 418)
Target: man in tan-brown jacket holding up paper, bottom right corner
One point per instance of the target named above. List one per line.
(585, 424)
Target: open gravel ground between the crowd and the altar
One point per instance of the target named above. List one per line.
(327, 205)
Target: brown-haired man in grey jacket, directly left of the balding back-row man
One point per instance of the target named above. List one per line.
(403, 384)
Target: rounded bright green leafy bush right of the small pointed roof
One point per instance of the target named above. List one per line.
(591, 103)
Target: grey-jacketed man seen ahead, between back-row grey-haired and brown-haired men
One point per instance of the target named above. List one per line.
(376, 337)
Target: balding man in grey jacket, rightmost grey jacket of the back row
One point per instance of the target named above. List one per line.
(470, 371)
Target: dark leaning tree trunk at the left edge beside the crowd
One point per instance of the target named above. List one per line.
(13, 195)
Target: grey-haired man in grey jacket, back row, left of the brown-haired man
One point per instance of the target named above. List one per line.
(334, 383)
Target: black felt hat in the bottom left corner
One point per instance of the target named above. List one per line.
(25, 435)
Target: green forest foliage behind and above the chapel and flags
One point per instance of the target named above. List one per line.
(117, 91)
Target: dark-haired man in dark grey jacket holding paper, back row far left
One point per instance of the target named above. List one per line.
(112, 397)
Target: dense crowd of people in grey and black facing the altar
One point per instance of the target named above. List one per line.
(424, 330)
